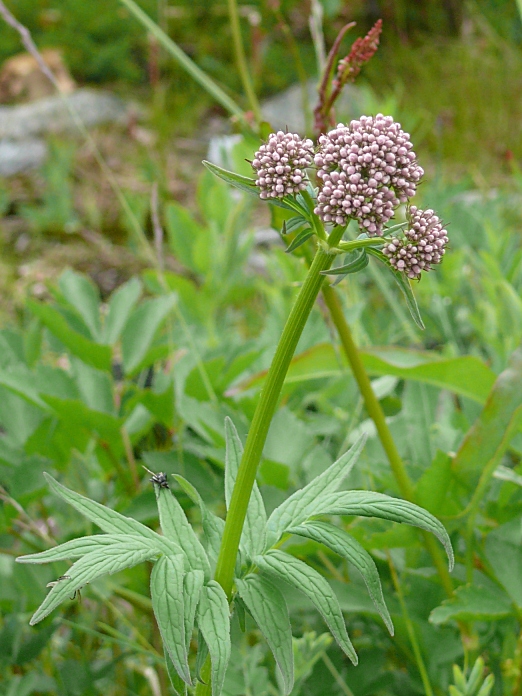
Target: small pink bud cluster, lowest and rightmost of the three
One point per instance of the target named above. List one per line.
(423, 245)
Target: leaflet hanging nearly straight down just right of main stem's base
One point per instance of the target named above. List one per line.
(268, 608)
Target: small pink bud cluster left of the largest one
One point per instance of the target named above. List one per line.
(280, 164)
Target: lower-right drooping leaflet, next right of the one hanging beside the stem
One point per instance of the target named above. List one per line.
(281, 566)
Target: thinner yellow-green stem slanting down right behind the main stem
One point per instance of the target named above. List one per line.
(376, 414)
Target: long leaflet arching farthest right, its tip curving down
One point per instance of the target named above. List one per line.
(370, 504)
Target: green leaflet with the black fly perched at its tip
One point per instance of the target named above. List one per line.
(176, 527)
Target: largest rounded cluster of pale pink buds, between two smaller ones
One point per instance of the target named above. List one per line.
(367, 168)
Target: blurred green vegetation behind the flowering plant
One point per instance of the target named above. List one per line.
(112, 356)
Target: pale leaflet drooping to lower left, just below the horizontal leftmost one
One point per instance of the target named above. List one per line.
(104, 561)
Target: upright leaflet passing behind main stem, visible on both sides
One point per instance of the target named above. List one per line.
(253, 537)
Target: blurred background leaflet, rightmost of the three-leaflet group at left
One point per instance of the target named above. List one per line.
(141, 328)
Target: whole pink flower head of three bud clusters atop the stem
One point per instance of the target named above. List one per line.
(365, 170)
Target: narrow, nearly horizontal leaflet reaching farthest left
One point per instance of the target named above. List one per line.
(84, 545)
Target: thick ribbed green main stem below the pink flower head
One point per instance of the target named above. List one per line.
(265, 410)
